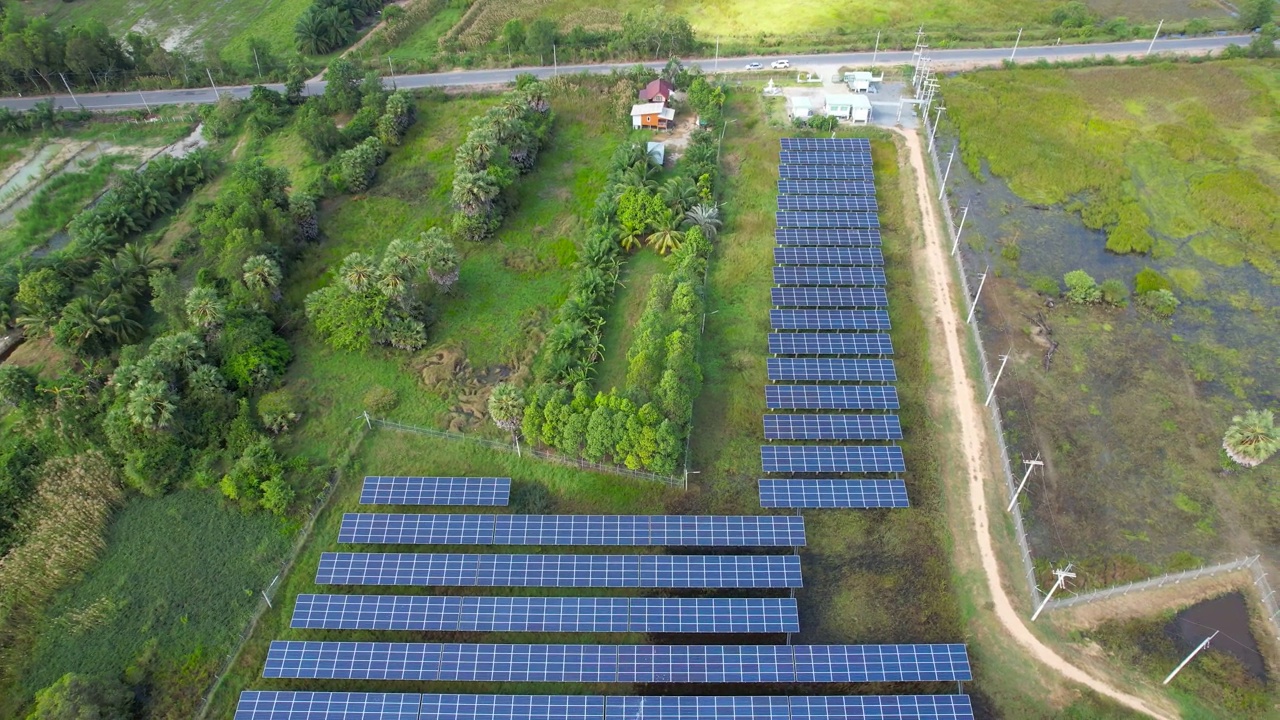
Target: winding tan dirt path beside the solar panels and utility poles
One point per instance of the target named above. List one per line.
(973, 430)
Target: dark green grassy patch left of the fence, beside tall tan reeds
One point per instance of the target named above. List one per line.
(180, 580)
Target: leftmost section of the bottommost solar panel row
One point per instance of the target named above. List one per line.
(276, 705)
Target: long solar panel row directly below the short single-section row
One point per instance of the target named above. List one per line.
(700, 531)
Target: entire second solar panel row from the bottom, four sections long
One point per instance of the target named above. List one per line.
(618, 664)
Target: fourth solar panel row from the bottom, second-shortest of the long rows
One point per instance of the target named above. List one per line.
(560, 571)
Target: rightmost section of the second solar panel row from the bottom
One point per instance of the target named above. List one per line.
(881, 663)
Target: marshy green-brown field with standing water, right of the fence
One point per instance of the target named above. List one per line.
(1177, 166)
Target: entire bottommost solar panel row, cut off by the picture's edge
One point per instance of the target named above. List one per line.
(287, 705)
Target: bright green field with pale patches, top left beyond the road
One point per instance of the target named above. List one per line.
(221, 25)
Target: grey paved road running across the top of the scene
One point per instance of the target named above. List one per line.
(941, 60)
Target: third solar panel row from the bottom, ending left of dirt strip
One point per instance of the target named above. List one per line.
(546, 614)
